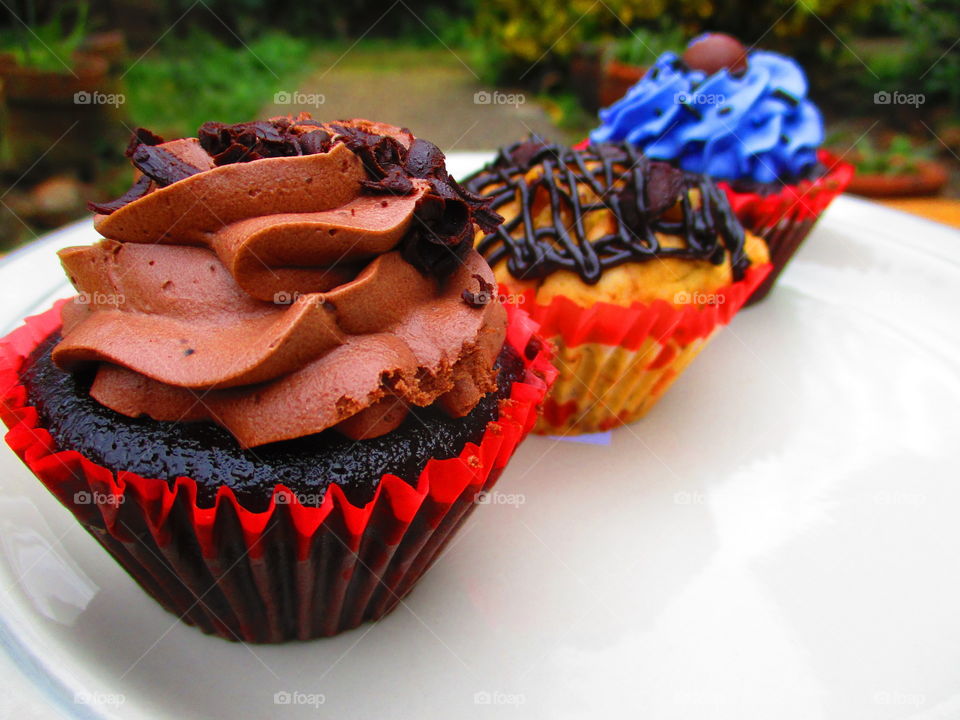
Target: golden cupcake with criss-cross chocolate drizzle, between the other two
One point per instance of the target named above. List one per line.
(629, 265)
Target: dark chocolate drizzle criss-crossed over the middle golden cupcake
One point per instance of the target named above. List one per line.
(645, 198)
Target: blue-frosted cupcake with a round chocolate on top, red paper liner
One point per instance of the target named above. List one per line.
(743, 118)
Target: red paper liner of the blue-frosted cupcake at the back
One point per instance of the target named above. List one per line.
(784, 219)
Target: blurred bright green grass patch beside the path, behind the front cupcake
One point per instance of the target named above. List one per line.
(184, 82)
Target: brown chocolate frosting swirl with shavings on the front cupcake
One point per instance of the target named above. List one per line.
(314, 277)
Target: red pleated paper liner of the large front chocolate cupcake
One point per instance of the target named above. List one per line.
(290, 572)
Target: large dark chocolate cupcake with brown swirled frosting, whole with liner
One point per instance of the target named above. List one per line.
(284, 379)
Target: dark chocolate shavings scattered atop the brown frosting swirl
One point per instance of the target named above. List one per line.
(442, 232)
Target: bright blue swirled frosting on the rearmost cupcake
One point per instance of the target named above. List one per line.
(748, 124)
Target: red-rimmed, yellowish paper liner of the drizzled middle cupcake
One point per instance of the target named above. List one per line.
(615, 362)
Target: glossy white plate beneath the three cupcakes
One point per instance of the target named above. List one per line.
(777, 540)
